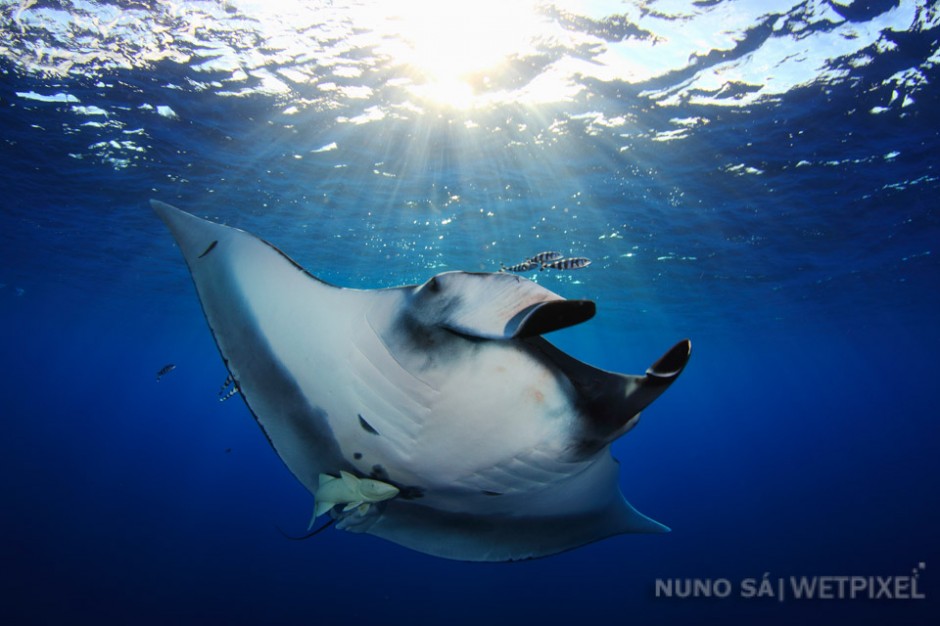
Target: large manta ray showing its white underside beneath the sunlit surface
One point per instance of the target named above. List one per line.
(435, 416)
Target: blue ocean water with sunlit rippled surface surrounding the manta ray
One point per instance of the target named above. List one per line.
(761, 177)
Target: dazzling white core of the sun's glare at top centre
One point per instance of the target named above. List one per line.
(453, 48)
